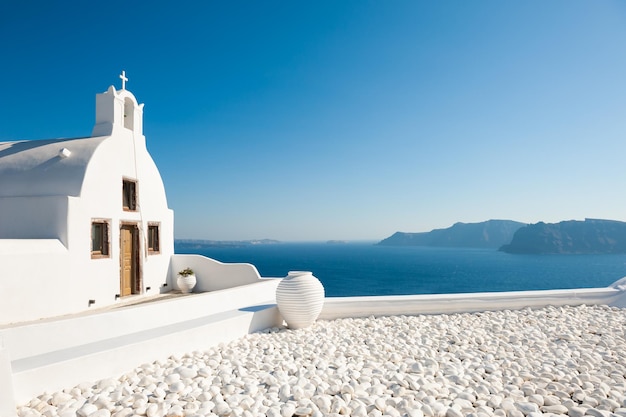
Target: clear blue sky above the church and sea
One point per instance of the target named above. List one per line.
(340, 119)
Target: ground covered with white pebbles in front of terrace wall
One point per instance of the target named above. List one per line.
(552, 361)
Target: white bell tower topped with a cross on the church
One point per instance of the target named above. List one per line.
(117, 110)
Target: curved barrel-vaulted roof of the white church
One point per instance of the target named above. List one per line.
(38, 167)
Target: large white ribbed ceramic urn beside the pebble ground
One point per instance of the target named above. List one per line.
(300, 298)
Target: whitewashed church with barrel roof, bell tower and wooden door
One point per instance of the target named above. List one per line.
(83, 222)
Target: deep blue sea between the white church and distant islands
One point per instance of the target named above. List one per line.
(356, 269)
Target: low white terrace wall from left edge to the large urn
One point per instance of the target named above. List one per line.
(60, 353)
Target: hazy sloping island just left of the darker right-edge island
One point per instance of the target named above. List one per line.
(488, 234)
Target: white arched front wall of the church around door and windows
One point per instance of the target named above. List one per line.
(101, 197)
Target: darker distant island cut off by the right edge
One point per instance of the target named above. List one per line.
(591, 236)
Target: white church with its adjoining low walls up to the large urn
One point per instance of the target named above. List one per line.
(87, 257)
